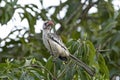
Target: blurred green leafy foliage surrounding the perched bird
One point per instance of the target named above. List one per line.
(92, 37)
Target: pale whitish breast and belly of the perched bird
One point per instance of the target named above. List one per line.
(54, 47)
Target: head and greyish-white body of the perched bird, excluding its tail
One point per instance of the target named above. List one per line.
(53, 42)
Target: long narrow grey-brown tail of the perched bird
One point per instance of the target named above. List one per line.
(83, 65)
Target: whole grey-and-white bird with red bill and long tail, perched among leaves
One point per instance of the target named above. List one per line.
(57, 48)
